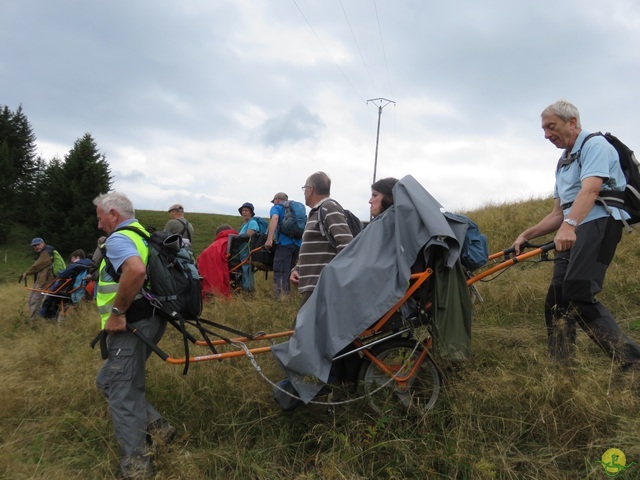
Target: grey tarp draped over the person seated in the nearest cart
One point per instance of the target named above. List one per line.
(364, 281)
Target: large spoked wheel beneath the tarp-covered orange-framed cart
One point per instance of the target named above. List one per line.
(416, 395)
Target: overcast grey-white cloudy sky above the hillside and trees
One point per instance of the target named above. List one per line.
(214, 103)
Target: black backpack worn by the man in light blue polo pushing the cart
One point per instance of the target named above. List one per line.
(629, 199)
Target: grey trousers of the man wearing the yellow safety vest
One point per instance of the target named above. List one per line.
(122, 381)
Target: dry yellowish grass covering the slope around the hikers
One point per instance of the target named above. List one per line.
(506, 414)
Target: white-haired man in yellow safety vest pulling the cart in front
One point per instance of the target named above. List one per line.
(121, 378)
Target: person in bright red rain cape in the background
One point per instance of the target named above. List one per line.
(213, 266)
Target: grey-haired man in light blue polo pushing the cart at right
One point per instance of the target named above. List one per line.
(587, 234)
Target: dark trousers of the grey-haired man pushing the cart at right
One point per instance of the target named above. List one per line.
(578, 275)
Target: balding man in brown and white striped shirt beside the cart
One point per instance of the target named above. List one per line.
(316, 250)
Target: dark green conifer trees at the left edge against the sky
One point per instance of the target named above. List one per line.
(51, 197)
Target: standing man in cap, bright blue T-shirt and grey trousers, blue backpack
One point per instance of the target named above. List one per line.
(287, 248)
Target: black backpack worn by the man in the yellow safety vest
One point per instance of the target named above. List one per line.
(173, 278)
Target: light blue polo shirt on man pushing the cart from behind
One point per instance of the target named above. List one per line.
(597, 159)
